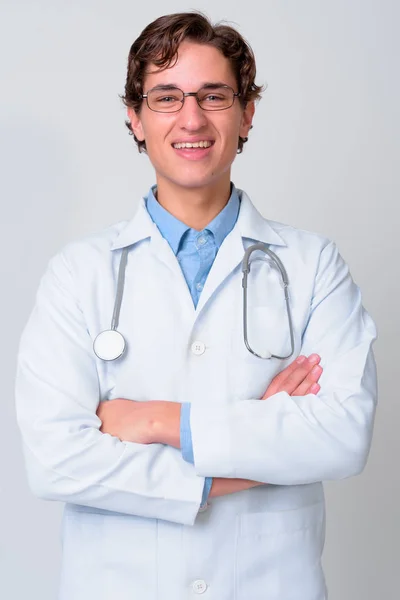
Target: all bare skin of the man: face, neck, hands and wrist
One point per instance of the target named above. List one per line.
(194, 191)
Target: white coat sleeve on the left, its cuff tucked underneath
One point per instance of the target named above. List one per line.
(57, 394)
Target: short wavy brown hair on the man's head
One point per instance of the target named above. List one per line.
(159, 42)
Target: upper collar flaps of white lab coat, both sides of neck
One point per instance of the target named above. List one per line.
(250, 224)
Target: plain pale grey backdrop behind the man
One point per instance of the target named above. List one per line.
(321, 157)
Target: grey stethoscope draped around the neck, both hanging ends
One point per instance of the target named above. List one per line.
(110, 344)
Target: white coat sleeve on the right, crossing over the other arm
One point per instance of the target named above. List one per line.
(288, 440)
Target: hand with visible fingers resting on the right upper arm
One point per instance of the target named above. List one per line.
(298, 379)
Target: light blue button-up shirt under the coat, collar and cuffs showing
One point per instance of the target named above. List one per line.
(195, 251)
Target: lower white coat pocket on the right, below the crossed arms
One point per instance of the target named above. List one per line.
(278, 554)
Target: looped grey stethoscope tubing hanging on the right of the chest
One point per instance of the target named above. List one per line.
(285, 282)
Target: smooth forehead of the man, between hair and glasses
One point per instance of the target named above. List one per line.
(196, 64)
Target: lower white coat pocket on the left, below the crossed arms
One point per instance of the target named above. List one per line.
(106, 555)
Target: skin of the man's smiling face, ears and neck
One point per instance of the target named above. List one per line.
(193, 191)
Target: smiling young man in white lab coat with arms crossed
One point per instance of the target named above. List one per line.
(192, 463)
